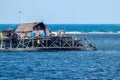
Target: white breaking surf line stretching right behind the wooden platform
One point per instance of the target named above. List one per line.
(94, 32)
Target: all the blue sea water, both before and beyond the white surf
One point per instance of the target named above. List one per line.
(103, 64)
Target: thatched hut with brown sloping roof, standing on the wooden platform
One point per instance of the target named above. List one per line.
(27, 28)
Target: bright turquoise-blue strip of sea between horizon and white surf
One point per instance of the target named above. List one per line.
(85, 28)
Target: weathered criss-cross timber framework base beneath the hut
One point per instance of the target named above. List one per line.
(43, 43)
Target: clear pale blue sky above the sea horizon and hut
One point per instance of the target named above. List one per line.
(61, 11)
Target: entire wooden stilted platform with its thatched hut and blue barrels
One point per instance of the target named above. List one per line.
(37, 37)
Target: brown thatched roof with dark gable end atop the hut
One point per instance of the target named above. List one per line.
(29, 27)
